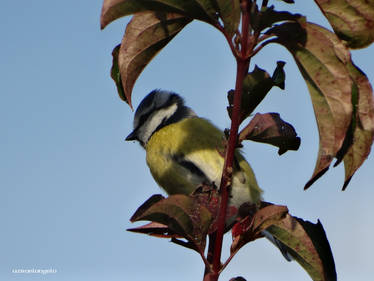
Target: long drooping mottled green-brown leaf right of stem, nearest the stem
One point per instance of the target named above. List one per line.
(322, 61)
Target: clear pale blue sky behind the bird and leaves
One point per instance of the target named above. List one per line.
(69, 182)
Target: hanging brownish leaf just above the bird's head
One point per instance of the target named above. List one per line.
(146, 34)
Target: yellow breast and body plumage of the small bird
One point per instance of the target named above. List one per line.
(196, 140)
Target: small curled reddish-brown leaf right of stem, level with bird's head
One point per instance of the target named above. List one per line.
(270, 128)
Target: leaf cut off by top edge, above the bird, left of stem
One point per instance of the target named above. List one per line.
(194, 9)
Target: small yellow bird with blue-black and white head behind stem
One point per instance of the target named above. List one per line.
(183, 152)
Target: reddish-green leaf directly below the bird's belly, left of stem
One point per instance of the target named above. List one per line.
(181, 214)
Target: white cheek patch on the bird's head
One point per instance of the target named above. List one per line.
(154, 120)
